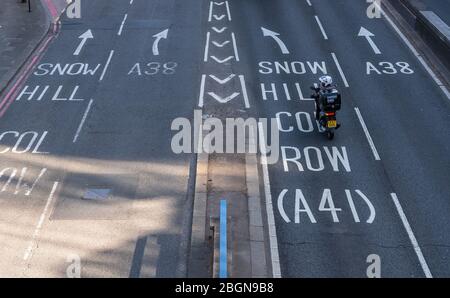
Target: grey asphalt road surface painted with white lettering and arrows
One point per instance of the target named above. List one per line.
(93, 125)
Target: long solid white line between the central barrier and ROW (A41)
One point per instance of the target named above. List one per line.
(275, 258)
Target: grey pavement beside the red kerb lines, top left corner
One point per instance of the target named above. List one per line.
(20, 32)
